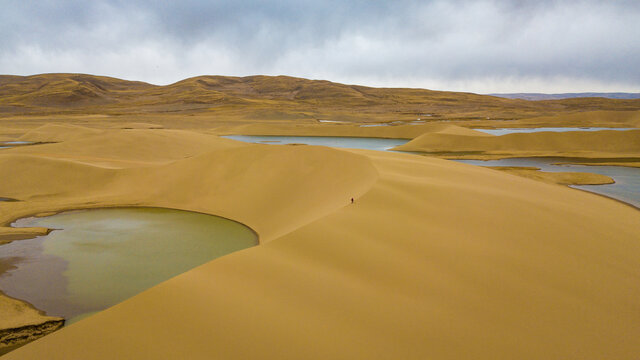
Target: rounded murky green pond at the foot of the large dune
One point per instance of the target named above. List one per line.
(101, 257)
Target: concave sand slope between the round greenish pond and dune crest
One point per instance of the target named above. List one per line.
(273, 189)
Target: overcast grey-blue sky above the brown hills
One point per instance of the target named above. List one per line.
(480, 46)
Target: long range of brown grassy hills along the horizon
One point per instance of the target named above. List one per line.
(267, 98)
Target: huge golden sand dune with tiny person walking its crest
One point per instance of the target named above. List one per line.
(435, 260)
